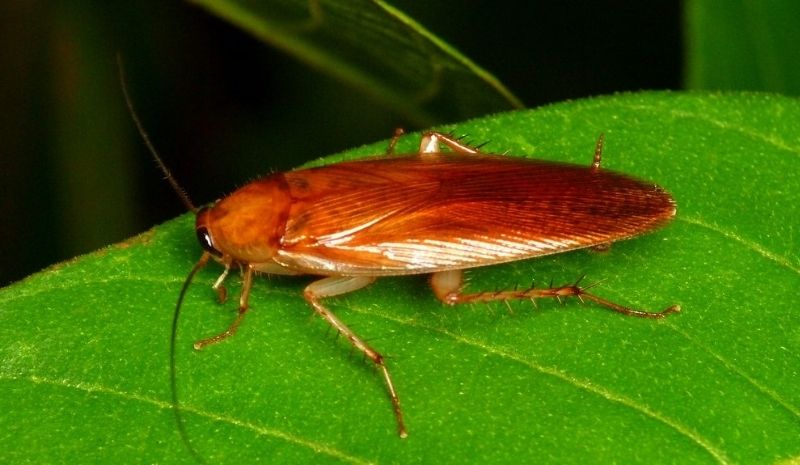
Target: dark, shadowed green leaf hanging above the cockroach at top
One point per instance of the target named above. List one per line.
(376, 48)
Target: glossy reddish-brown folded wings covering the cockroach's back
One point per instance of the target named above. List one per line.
(433, 212)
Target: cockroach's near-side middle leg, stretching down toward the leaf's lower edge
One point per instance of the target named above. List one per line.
(336, 285)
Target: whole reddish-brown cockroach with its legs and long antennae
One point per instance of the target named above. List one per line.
(430, 212)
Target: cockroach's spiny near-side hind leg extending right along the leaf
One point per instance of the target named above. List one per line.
(447, 286)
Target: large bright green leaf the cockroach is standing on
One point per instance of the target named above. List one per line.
(84, 344)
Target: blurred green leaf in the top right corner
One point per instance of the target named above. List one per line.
(743, 45)
